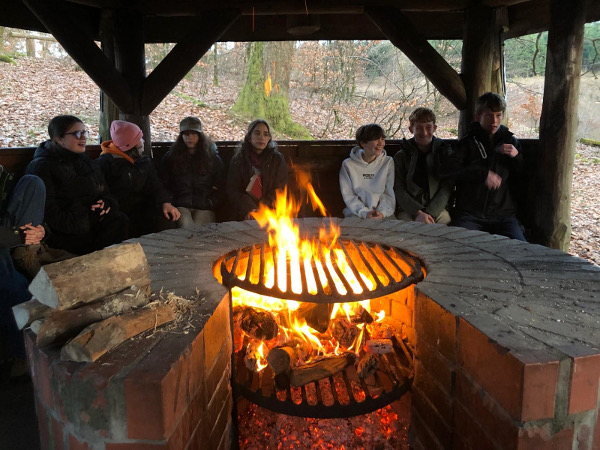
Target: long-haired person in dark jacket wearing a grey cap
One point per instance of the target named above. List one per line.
(194, 174)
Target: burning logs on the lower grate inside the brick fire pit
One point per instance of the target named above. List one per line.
(258, 332)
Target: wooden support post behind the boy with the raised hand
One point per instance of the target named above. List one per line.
(480, 55)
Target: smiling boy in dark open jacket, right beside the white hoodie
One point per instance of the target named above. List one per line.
(420, 193)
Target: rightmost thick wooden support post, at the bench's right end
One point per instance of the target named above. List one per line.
(558, 124)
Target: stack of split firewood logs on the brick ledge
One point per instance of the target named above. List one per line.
(92, 303)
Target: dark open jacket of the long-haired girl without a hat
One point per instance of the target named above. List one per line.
(273, 175)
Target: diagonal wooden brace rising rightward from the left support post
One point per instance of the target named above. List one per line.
(182, 58)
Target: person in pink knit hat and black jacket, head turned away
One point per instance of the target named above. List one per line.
(133, 180)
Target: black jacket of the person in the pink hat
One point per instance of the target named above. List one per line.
(134, 185)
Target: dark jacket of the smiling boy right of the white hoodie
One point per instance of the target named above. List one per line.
(410, 197)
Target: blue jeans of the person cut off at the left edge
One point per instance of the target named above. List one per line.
(25, 205)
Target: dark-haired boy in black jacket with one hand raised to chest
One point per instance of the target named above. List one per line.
(486, 165)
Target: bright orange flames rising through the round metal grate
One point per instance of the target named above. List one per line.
(345, 323)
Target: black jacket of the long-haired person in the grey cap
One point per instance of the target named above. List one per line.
(191, 187)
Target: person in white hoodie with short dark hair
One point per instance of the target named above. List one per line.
(367, 176)
